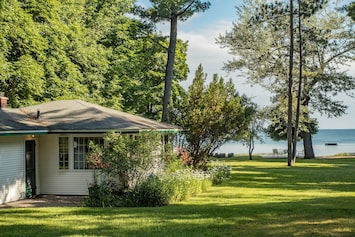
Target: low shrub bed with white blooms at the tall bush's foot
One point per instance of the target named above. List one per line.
(153, 191)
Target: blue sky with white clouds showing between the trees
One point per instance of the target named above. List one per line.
(201, 32)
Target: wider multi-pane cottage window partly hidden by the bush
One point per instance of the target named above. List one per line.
(82, 150)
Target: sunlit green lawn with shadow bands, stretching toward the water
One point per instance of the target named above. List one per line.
(263, 198)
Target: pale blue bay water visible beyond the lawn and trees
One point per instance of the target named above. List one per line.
(341, 140)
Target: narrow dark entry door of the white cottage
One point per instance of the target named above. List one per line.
(30, 168)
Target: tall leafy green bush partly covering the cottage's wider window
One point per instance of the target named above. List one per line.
(130, 160)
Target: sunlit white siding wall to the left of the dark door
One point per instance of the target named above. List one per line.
(12, 169)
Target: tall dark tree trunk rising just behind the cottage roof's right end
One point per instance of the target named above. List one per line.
(169, 68)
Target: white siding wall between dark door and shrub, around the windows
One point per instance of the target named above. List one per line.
(56, 181)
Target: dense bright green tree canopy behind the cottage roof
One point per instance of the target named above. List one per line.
(90, 50)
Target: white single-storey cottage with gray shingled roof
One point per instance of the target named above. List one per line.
(43, 147)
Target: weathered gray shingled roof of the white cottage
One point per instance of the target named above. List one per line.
(74, 116)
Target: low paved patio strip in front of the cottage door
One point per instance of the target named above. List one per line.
(47, 201)
